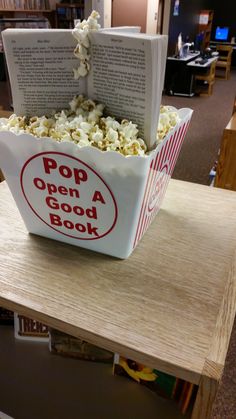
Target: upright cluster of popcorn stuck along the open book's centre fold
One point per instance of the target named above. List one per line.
(80, 33)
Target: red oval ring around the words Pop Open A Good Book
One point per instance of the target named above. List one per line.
(81, 162)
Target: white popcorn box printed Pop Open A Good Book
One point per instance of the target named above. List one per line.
(97, 200)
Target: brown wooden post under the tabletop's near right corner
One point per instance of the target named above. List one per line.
(205, 398)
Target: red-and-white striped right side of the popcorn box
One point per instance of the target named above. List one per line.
(160, 171)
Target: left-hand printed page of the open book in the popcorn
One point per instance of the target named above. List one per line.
(40, 64)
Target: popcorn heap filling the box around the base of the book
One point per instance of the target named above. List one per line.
(83, 124)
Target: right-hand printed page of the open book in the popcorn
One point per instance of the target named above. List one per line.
(122, 75)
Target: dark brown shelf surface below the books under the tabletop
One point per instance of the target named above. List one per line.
(69, 388)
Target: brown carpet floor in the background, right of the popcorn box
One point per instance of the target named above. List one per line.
(211, 115)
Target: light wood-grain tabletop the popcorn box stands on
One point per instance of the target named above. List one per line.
(171, 305)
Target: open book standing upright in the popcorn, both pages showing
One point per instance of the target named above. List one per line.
(127, 73)
